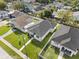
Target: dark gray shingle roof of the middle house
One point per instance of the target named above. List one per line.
(42, 28)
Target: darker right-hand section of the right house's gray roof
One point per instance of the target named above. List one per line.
(74, 35)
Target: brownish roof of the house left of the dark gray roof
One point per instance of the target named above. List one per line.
(23, 20)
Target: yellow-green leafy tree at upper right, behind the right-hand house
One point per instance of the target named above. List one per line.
(66, 16)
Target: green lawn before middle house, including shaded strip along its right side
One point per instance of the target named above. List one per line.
(32, 50)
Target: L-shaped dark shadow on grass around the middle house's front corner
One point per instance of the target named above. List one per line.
(42, 43)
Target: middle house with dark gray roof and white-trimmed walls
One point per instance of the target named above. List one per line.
(40, 30)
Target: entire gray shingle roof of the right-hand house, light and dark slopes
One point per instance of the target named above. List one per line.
(68, 33)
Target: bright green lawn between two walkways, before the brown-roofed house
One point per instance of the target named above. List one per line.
(16, 39)
